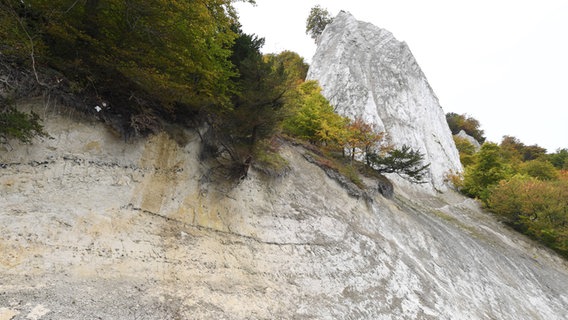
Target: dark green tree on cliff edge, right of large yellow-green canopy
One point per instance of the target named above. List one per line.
(256, 108)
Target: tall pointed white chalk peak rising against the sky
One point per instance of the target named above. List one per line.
(365, 72)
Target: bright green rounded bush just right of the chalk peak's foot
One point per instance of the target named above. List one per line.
(489, 168)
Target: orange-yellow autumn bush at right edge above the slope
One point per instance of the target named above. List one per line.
(534, 207)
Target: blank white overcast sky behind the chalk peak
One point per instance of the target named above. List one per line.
(503, 62)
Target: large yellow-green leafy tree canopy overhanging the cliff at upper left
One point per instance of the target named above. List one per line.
(135, 54)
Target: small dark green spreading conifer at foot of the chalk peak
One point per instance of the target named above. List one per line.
(404, 161)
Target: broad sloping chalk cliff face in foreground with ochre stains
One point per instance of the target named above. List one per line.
(95, 228)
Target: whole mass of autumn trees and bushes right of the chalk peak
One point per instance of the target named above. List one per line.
(522, 184)
